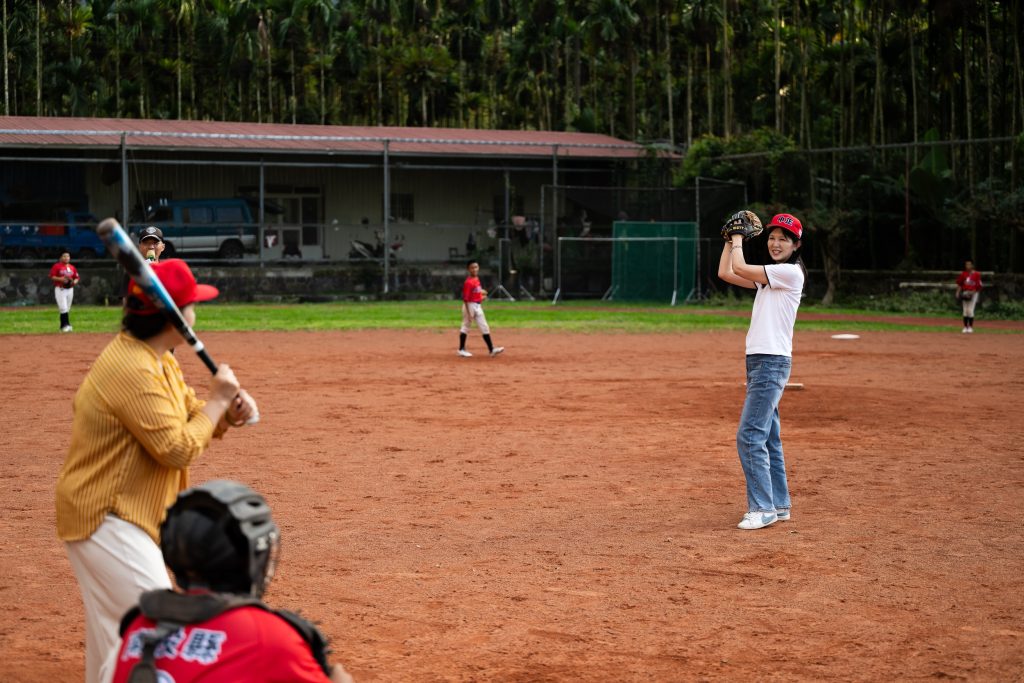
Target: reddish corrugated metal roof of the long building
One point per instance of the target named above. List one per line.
(210, 136)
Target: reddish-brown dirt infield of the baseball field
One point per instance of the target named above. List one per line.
(568, 511)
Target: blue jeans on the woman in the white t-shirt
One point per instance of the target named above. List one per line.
(759, 439)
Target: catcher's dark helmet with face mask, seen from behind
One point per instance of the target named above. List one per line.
(221, 536)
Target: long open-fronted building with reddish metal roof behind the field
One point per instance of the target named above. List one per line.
(315, 191)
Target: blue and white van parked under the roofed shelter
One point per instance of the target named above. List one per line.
(224, 228)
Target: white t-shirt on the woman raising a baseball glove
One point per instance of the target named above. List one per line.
(776, 311)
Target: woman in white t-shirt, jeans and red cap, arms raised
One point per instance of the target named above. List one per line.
(770, 362)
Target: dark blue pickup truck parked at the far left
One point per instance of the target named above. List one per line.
(76, 235)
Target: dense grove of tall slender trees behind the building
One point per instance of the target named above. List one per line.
(715, 79)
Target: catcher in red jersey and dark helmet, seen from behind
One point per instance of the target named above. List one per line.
(222, 543)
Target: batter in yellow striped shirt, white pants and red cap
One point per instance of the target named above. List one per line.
(137, 429)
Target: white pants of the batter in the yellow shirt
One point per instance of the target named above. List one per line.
(114, 568)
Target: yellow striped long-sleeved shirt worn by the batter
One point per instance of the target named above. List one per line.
(138, 428)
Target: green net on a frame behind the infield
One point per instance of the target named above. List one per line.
(659, 261)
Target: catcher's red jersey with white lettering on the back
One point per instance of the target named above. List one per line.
(243, 645)
